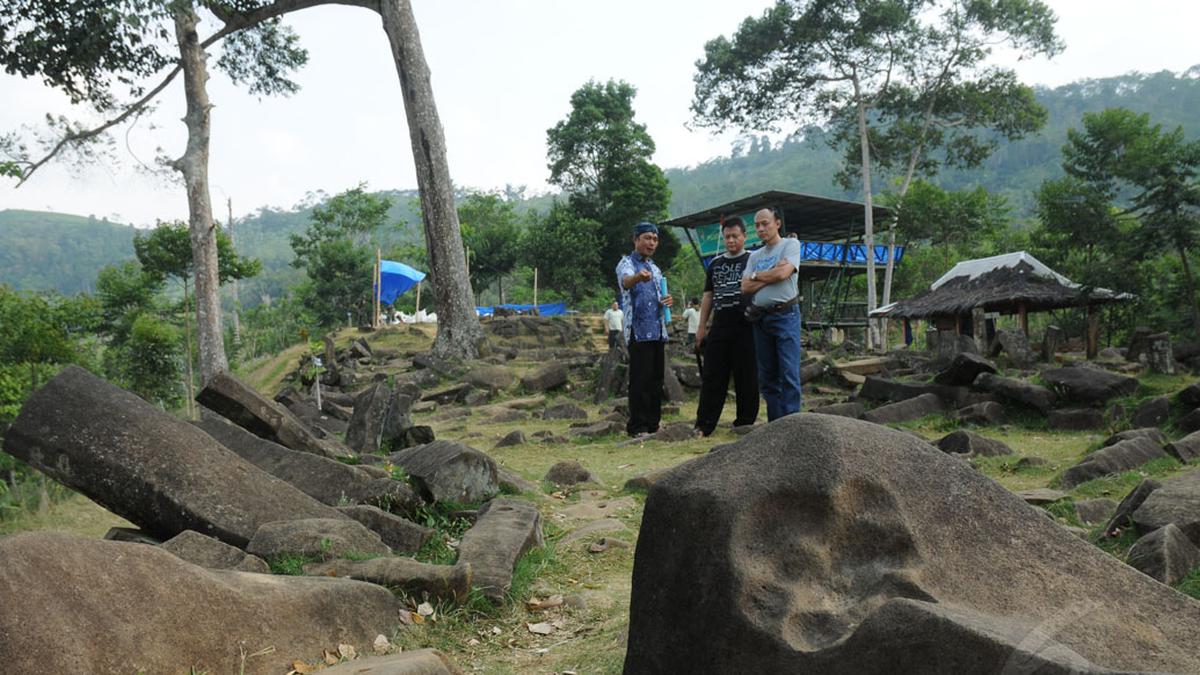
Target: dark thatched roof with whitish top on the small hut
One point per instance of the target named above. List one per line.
(1009, 284)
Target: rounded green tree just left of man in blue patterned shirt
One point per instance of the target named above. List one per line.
(566, 248)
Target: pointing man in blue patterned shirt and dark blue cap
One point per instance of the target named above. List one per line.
(645, 330)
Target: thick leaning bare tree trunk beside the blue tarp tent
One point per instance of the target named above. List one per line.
(459, 331)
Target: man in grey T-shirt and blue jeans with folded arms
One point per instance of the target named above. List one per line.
(771, 280)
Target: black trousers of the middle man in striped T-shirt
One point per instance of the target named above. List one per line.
(729, 350)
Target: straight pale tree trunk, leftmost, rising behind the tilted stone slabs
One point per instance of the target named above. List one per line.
(195, 168)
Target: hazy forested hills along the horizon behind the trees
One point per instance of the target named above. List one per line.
(45, 252)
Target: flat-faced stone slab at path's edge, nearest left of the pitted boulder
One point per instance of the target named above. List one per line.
(503, 533)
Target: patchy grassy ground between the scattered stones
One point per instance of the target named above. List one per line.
(587, 632)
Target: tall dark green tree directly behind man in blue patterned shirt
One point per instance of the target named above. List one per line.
(602, 158)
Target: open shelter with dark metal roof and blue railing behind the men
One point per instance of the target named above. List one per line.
(830, 231)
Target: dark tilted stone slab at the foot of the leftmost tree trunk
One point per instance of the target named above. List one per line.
(235, 401)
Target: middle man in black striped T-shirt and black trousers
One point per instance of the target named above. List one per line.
(729, 345)
